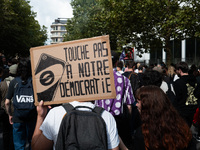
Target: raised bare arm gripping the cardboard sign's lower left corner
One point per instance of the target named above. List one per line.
(39, 141)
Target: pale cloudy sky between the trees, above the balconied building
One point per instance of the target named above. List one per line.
(49, 10)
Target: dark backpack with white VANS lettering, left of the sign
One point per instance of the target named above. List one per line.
(23, 99)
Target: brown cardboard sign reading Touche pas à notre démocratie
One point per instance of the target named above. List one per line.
(78, 70)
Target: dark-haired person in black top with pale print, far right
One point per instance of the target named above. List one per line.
(187, 93)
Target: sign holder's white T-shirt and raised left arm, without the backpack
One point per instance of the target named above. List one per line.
(47, 126)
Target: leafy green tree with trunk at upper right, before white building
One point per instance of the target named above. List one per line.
(165, 20)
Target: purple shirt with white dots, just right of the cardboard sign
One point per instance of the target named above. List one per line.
(114, 106)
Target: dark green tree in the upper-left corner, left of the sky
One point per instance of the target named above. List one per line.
(19, 29)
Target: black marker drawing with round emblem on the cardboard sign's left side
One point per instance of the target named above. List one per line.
(48, 73)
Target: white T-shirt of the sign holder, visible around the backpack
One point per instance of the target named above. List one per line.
(51, 124)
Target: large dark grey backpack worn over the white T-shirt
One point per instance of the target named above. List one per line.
(82, 130)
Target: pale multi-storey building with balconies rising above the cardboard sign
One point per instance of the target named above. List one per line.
(58, 30)
